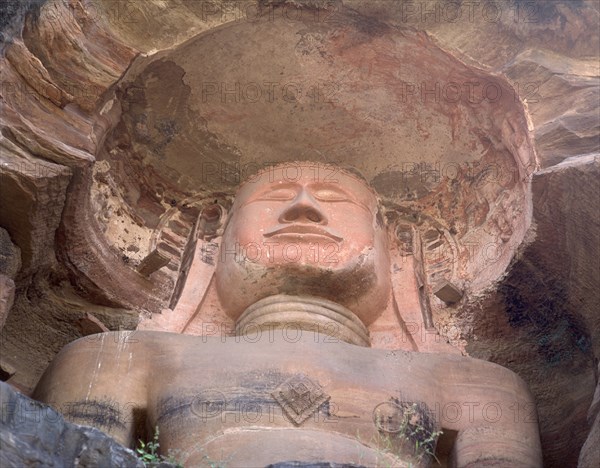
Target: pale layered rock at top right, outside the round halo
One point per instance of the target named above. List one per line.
(548, 50)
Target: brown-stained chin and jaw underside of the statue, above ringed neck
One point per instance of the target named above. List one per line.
(355, 285)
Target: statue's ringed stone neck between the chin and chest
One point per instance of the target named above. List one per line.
(303, 313)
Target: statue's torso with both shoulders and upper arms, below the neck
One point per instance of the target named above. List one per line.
(269, 400)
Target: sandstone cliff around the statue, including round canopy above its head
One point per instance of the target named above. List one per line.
(121, 120)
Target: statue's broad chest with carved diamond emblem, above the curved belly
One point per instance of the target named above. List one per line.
(208, 395)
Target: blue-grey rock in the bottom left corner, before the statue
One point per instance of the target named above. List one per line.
(33, 434)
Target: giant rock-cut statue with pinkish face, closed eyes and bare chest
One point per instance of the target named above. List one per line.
(303, 271)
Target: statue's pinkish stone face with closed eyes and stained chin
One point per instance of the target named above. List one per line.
(304, 229)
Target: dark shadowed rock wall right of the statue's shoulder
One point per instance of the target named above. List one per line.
(546, 322)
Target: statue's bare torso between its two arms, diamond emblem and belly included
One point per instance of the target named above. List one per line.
(226, 400)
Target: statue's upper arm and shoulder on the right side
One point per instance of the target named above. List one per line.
(497, 421)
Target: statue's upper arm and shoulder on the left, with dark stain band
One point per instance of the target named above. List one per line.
(100, 381)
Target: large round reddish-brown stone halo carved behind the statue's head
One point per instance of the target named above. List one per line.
(451, 163)
